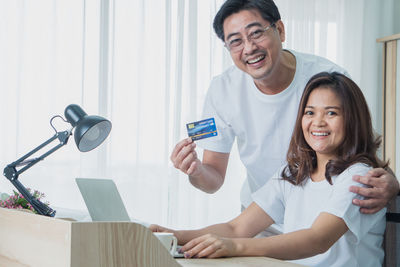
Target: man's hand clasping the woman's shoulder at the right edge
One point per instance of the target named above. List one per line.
(382, 187)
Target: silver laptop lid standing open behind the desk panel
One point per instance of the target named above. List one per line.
(102, 200)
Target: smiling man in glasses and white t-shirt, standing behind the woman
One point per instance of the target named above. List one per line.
(256, 101)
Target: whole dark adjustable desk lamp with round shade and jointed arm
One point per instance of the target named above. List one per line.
(90, 132)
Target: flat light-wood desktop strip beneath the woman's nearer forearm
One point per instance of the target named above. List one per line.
(236, 262)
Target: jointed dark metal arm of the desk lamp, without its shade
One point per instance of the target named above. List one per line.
(12, 174)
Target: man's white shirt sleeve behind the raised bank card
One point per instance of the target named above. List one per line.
(215, 106)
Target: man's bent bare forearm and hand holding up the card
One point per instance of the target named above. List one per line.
(208, 175)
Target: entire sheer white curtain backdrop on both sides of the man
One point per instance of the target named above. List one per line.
(146, 65)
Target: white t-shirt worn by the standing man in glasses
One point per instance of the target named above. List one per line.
(262, 124)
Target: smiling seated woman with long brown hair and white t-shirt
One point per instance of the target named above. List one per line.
(332, 141)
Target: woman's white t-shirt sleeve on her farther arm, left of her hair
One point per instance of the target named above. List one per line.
(271, 197)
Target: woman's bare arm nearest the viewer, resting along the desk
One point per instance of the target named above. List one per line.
(324, 232)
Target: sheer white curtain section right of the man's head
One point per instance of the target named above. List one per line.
(344, 32)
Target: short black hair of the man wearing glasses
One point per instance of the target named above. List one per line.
(267, 9)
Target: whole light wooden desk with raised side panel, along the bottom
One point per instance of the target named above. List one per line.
(38, 241)
